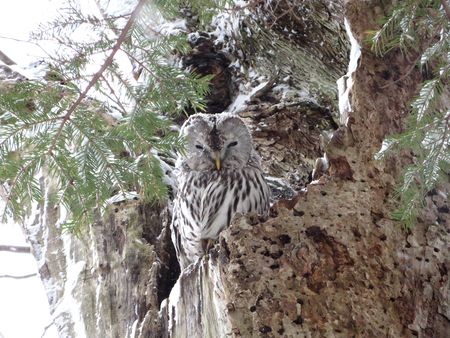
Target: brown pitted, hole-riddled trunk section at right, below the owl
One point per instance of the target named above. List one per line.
(331, 262)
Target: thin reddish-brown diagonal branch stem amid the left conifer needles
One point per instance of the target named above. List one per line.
(96, 77)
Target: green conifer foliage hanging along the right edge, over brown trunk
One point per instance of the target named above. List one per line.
(421, 27)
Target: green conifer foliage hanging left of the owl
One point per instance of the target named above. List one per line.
(91, 127)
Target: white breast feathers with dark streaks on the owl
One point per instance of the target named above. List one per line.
(209, 200)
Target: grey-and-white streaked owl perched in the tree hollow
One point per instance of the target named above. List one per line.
(218, 176)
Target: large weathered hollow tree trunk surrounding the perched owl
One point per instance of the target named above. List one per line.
(329, 262)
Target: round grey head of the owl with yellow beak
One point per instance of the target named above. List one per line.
(215, 142)
